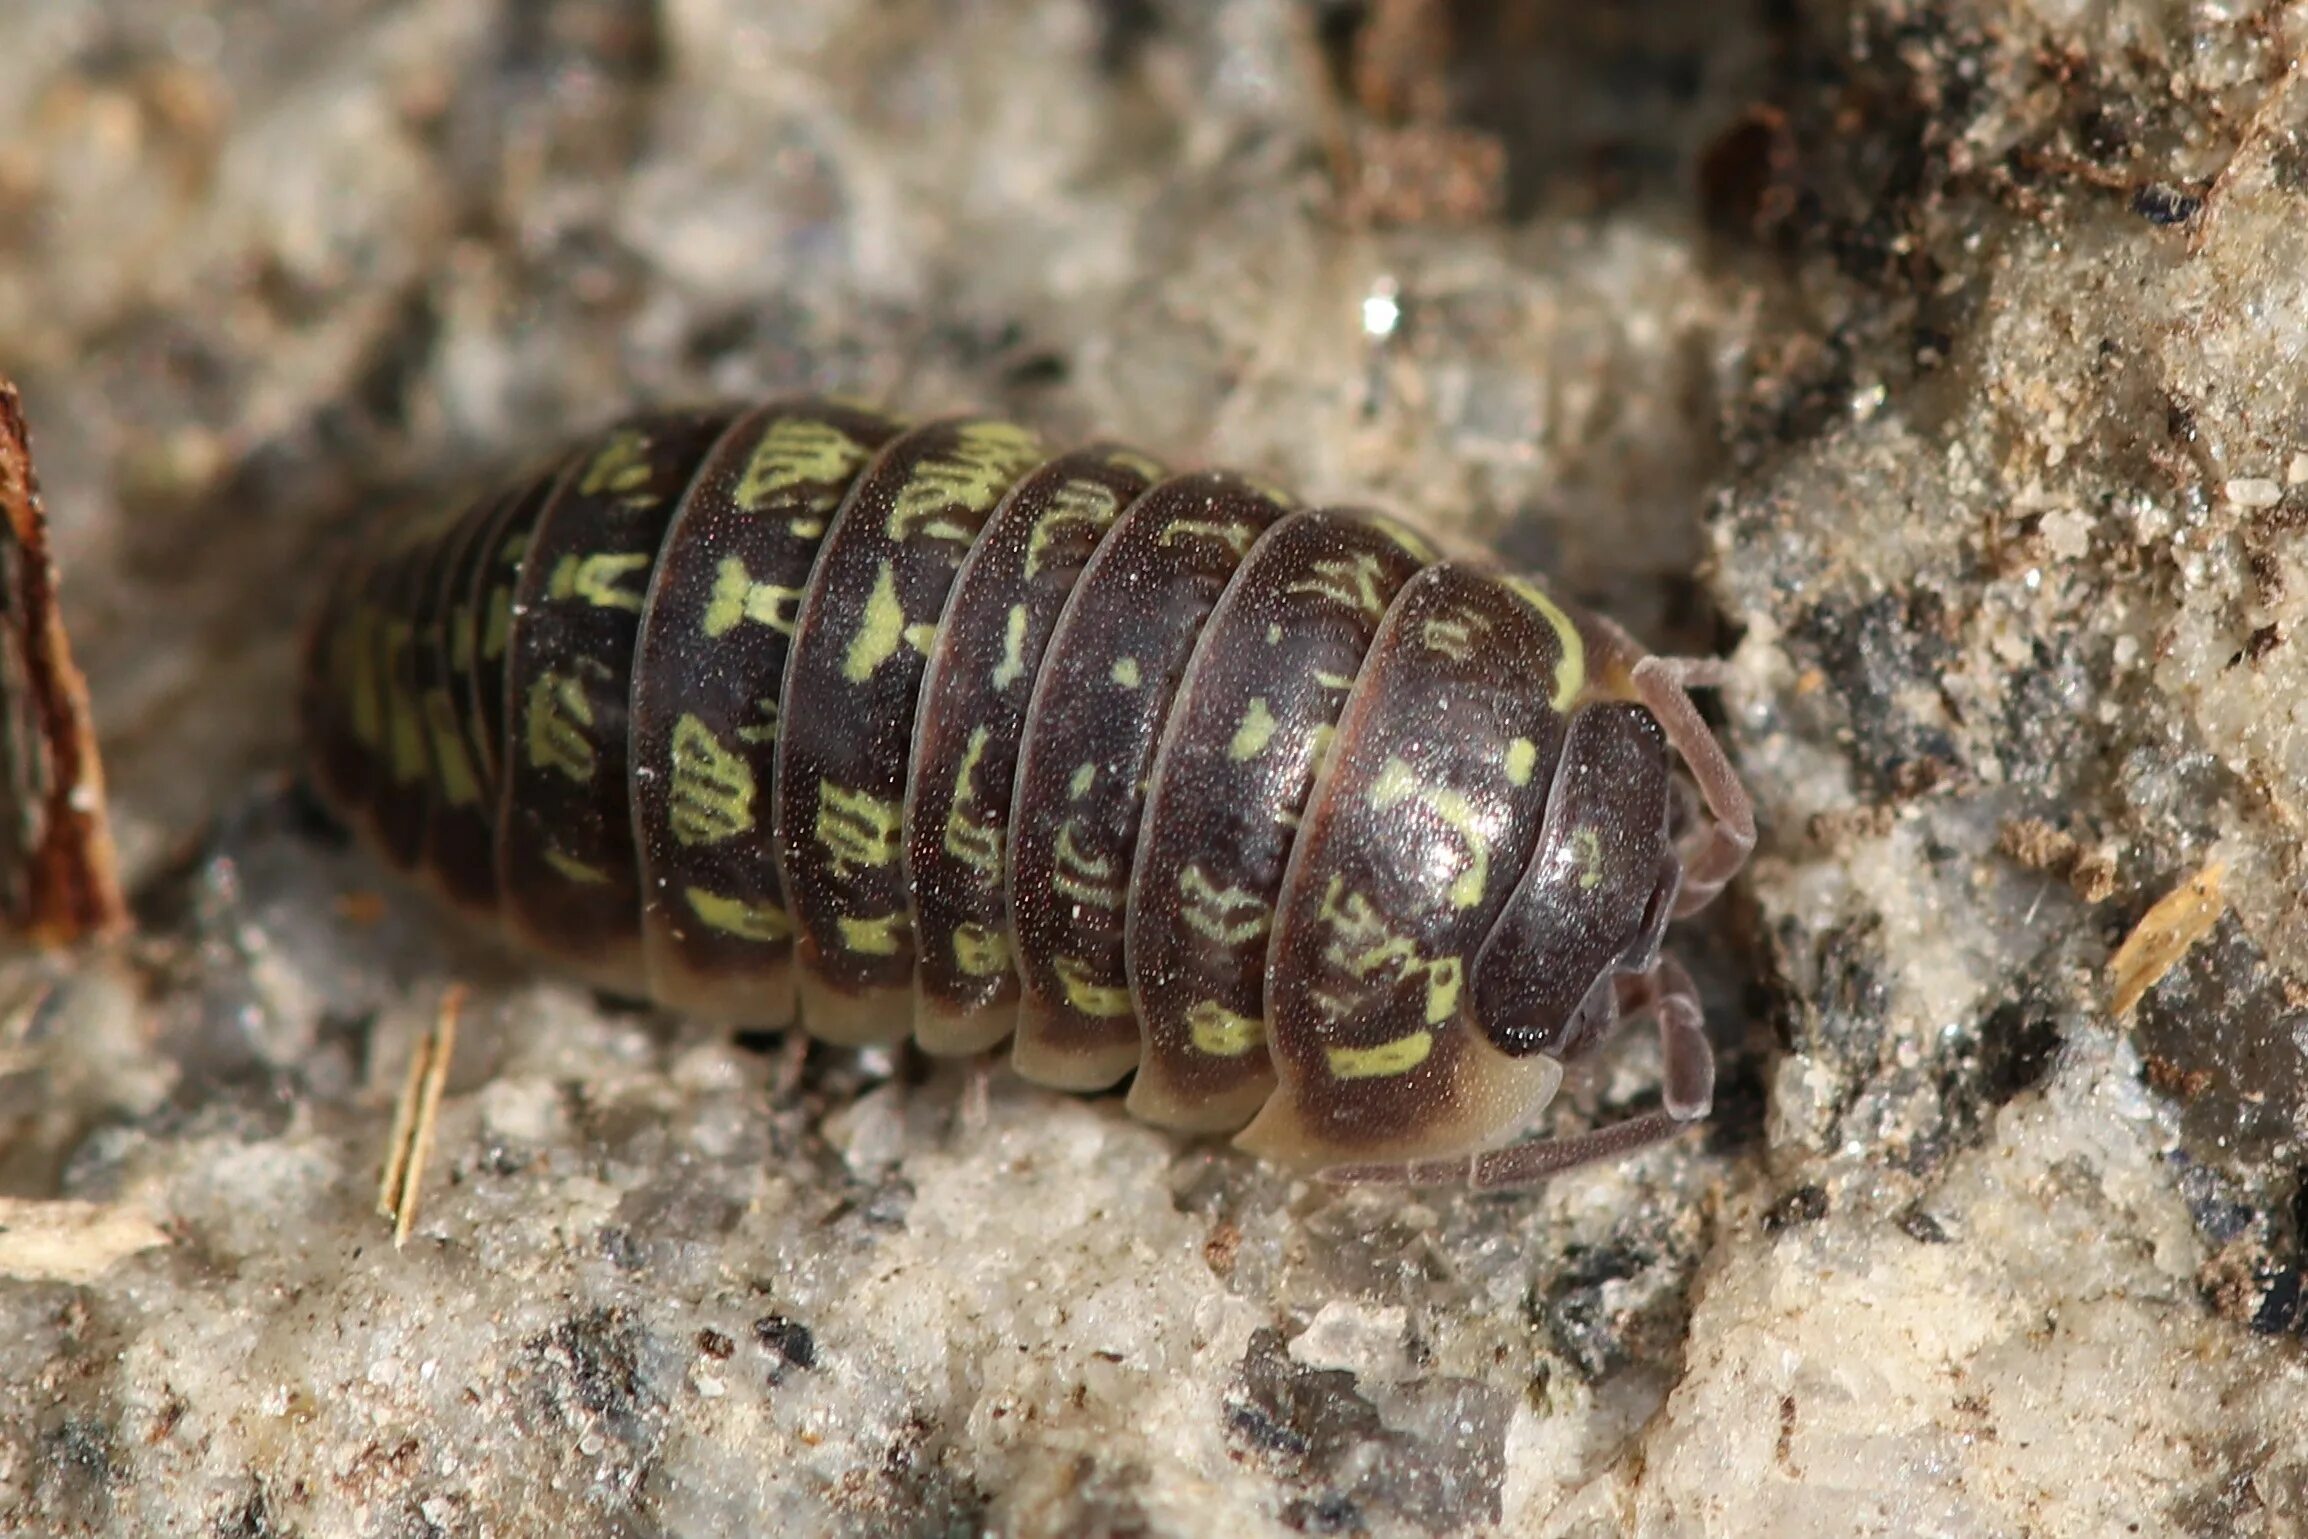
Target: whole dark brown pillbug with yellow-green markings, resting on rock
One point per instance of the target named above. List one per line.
(1331, 843)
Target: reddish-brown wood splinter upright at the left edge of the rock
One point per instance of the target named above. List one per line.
(59, 883)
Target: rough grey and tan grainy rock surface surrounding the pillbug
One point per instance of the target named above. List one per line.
(1944, 363)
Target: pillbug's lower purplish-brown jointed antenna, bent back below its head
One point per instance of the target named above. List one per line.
(1665, 993)
